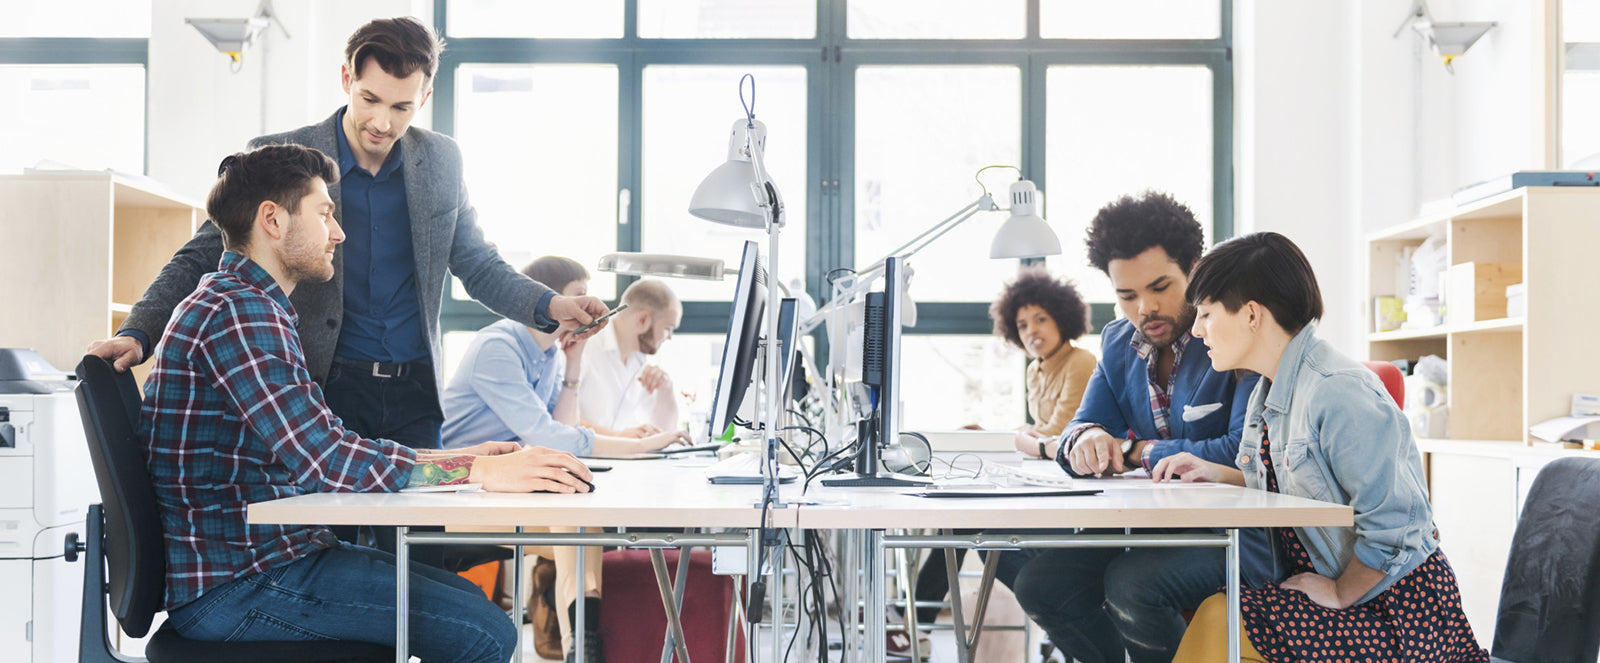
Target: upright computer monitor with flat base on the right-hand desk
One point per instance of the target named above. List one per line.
(881, 369)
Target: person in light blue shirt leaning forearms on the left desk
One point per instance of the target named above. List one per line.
(521, 385)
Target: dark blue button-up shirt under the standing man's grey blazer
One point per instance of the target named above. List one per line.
(383, 311)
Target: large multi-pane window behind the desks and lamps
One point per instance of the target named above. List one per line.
(601, 118)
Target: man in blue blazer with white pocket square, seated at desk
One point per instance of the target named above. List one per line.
(1151, 396)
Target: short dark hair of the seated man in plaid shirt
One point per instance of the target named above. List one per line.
(246, 180)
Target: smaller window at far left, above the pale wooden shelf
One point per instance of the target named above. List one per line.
(73, 76)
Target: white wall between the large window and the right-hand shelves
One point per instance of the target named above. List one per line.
(1345, 129)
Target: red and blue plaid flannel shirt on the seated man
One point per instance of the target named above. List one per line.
(231, 417)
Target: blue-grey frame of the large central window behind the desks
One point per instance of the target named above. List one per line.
(831, 60)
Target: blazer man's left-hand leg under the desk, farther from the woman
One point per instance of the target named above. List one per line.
(1063, 590)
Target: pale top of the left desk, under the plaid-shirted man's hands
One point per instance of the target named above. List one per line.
(633, 494)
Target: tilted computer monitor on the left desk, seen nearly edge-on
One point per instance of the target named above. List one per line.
(740, 347)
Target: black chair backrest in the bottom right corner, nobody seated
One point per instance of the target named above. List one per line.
(1550, 609)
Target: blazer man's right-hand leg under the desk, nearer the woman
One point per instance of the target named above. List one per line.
(1150, 589)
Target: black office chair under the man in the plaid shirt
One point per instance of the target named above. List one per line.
(126, 557)
